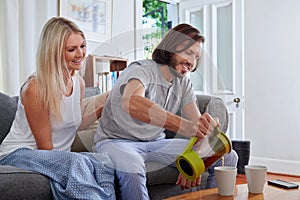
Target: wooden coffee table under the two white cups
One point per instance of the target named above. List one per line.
(241, 193)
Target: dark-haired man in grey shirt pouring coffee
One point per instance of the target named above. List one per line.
(144, 102)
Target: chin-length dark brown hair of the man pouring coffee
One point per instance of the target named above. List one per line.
(179, 35)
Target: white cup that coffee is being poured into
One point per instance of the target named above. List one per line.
(225, 178)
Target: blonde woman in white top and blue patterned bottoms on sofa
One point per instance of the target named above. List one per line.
(48, 116)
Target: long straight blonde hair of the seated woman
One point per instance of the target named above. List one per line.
(52, 71)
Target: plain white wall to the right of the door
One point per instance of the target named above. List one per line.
(272, 71)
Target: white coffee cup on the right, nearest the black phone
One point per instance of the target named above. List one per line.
(256, 178)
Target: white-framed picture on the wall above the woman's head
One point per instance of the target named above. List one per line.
(94, 17)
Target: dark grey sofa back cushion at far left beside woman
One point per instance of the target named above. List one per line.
(8, 108)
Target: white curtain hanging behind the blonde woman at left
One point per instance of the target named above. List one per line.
(21, 23)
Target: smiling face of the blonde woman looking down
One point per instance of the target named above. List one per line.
(75, 51)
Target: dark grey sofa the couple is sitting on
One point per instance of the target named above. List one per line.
(20, 184)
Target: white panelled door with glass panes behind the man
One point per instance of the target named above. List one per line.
(221, 73)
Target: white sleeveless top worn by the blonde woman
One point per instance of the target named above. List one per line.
(63, 131)
